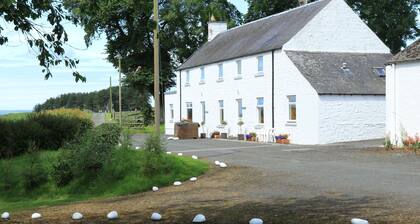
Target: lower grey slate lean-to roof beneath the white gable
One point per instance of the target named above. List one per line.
(324, 72)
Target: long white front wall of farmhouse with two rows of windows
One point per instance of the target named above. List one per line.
(248, 88)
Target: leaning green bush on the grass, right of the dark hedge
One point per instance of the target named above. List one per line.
(86, 158)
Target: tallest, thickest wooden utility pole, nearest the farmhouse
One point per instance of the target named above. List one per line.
(156, 65)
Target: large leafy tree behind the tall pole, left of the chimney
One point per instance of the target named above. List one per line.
(128, 27)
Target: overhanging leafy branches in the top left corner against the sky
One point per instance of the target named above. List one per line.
(24, 16)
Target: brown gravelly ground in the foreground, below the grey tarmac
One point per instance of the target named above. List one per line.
(225, 196)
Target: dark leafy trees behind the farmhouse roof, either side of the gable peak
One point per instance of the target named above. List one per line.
(394, 21)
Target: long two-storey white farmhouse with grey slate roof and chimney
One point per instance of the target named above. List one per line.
(313, 72)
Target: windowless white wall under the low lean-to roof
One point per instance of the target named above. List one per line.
(351, 118)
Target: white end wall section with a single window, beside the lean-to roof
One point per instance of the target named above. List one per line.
(289, 81)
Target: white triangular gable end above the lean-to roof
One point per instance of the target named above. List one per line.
(337, 29)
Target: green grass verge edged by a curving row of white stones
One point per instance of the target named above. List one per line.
(129, 163)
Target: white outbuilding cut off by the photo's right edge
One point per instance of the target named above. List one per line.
(402, 93)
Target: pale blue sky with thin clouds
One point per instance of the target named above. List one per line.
(22, 83)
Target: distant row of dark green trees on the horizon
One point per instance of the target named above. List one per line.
(98, 101)
